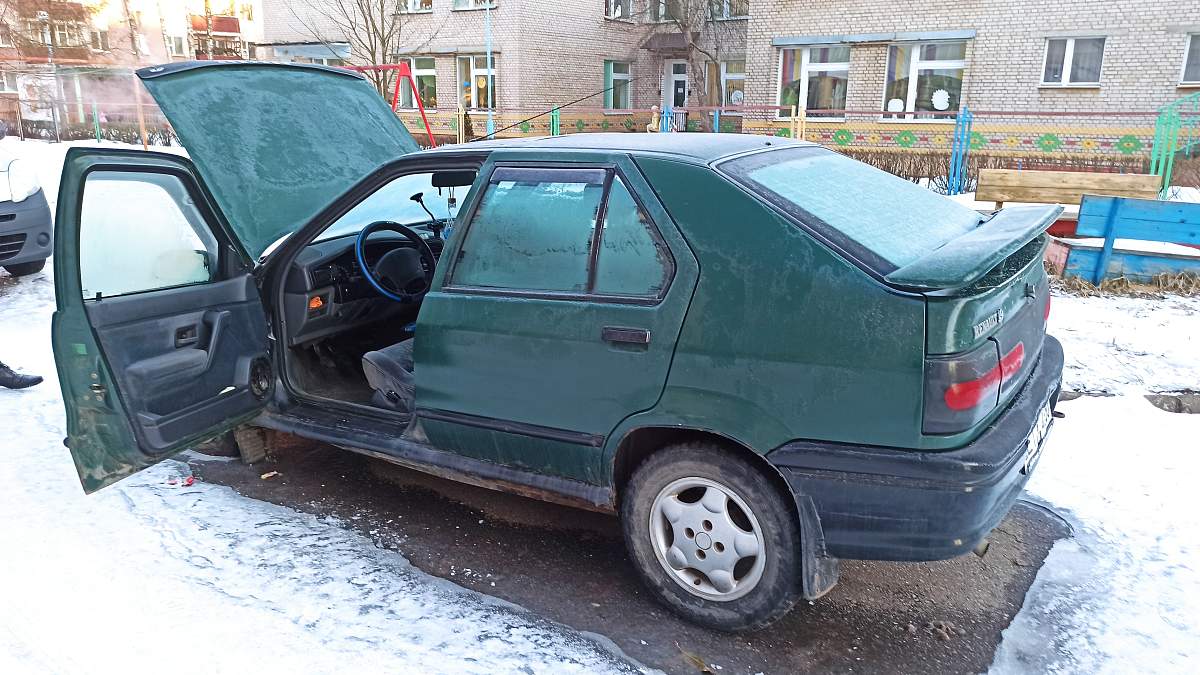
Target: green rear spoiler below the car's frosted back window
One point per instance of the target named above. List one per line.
(964, 261)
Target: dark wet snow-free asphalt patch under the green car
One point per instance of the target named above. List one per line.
(571, 566)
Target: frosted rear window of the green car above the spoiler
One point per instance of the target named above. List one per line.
(884, 220)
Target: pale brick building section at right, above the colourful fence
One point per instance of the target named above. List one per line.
(1072, 56)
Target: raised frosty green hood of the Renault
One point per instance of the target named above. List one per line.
(275, 144)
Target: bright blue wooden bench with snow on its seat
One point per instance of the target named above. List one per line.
(1144, 220)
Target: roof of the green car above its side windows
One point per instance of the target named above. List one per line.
(703, 148)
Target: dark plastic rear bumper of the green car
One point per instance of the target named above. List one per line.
(886, 504)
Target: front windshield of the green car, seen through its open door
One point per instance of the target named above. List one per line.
(394, 202)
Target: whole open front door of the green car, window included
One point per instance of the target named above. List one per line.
(160, 333)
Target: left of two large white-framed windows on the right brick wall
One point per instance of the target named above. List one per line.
(814, 79)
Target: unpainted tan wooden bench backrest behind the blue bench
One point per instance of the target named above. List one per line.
(1061, 187)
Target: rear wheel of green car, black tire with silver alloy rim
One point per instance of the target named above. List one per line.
(686, 483)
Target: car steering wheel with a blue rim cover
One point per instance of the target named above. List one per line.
(400, 274)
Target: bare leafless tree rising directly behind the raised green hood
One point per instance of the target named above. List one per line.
(374, 29)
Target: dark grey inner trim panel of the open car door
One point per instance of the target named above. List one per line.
(182, 357)
